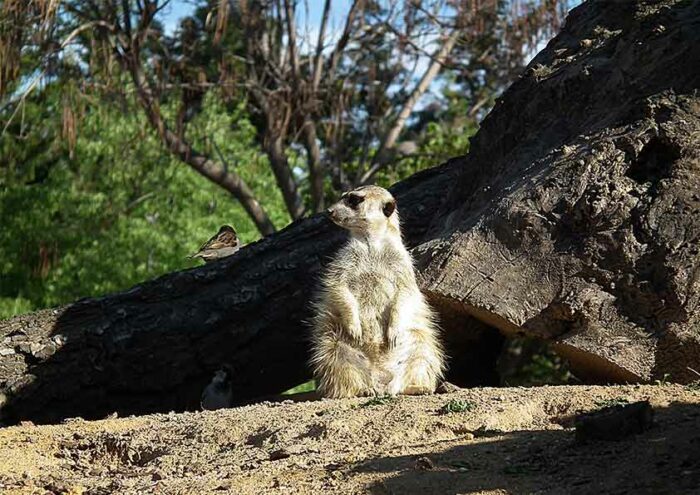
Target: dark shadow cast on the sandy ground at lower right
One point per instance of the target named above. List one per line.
(664, 459)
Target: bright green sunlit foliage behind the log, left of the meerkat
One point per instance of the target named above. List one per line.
(120, 211)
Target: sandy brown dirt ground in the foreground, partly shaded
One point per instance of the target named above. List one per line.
(508, 440)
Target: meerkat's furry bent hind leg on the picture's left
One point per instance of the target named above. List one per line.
(341, 370)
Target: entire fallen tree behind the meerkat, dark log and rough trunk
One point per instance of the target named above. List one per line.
(575, 218)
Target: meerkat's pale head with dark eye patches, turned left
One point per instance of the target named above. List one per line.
(366, 210)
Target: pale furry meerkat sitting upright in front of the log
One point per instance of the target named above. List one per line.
(372, 331)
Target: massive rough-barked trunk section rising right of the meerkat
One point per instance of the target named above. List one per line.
(576, 215)
